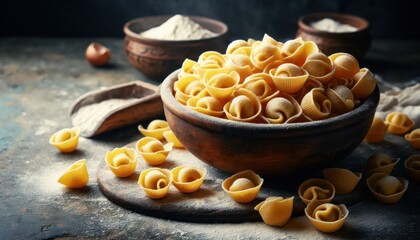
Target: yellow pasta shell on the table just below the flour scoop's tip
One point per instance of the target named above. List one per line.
(66, 139)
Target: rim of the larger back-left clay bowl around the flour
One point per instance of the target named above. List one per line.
(197, 19)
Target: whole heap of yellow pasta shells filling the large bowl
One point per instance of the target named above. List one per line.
(267, 81)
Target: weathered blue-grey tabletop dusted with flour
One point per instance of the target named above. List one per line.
(39, 80)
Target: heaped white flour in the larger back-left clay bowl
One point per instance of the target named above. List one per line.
(178, 28)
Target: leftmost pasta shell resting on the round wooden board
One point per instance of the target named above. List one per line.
(121, 161)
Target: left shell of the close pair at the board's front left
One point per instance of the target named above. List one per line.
(155, 182)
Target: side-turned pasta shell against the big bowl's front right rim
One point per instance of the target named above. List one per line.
(316, 105)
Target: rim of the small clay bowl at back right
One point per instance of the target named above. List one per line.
(303, 23)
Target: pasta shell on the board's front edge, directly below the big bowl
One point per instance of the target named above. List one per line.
(243, 187)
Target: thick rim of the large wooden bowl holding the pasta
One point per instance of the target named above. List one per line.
(355, 116)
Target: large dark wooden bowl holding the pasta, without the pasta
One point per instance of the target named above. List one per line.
(267, 149)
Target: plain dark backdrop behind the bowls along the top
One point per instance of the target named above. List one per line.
(247, 18)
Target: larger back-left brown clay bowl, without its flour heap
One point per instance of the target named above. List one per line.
(158, 58)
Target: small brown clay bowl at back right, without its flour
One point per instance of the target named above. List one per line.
(356, 43)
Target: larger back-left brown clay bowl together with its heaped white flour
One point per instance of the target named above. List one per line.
(165, 48)
